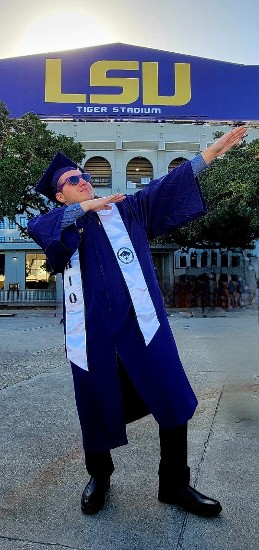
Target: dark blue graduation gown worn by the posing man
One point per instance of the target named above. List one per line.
(112, 330)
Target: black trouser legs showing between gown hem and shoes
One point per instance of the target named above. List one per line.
(173, 468)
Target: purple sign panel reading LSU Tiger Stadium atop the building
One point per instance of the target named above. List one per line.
(122, 81)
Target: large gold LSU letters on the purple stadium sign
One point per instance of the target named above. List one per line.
(129, 86)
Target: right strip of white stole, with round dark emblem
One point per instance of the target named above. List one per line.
(131, 271)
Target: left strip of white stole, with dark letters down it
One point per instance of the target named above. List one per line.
(75, 313)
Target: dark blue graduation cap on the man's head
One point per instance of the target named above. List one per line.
(47, 185)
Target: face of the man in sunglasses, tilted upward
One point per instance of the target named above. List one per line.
(71, 194)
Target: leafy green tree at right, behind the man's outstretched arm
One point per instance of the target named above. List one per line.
(231, 190)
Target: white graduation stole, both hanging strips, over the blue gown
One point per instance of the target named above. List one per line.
(134, 279)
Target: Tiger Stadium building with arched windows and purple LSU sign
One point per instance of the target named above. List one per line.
(138, 112)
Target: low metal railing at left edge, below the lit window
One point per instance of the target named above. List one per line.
(28, 296)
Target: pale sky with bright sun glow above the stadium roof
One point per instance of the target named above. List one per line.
(226, 30)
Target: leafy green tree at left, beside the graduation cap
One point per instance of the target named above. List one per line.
(26, 148)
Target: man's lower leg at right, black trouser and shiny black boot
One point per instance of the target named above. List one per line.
(174, 476)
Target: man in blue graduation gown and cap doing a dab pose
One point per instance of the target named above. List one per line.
(123, 356)
